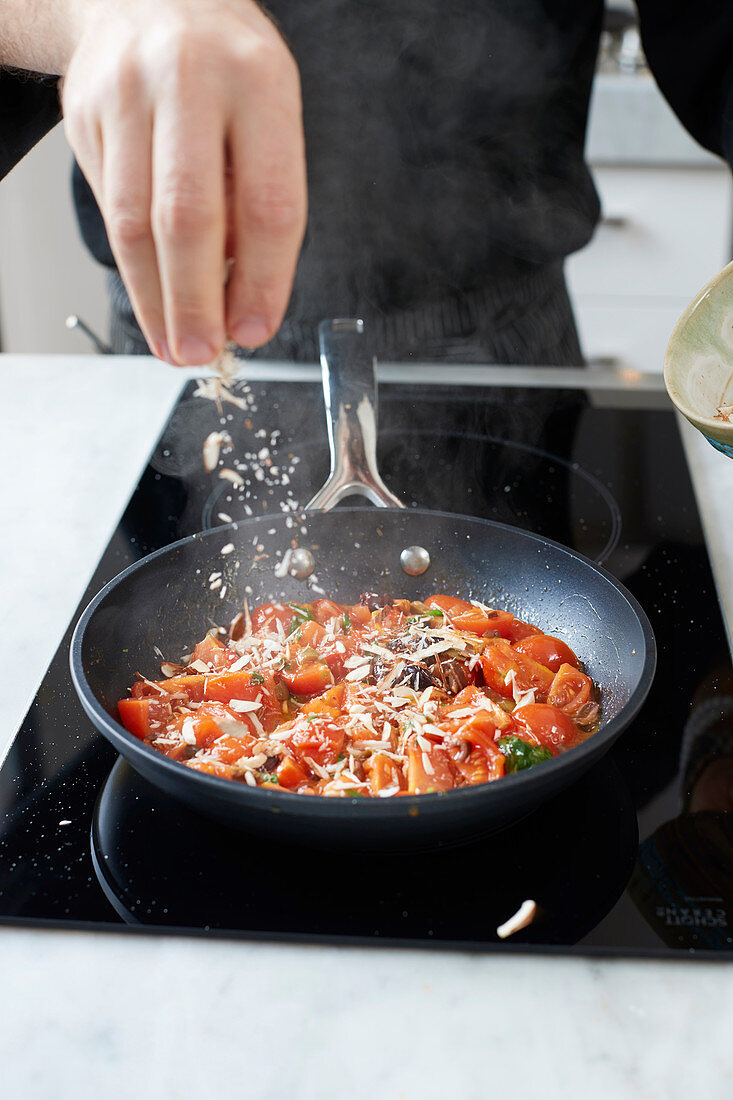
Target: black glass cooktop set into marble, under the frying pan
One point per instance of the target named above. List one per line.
(636, 859)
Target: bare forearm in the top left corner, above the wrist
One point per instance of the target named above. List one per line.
(40, 36)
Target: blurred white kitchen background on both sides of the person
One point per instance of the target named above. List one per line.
(668, 227)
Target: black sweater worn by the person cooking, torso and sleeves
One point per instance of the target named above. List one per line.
(445, 141)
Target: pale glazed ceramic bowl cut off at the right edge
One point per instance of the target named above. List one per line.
(699, 361)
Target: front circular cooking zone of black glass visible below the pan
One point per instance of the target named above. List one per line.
(161, 864)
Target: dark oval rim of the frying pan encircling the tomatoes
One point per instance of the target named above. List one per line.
(316, 806)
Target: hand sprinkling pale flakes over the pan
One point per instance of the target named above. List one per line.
(185, 118)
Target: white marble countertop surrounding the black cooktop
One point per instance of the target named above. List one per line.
(90, 1015)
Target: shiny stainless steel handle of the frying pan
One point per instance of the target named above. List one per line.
(349, 378)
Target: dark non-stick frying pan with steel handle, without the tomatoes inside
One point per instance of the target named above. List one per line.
(165, 601)
